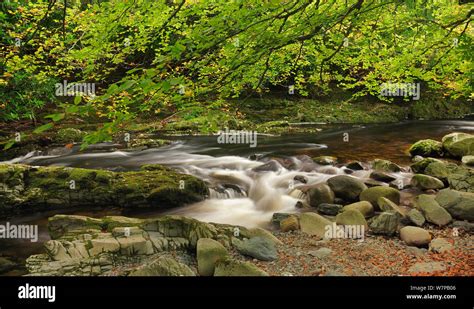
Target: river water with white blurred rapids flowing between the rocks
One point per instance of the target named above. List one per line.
(247, 184)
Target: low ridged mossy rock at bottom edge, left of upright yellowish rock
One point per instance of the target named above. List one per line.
(163, 266)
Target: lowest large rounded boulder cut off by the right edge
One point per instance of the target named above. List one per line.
(459, 204)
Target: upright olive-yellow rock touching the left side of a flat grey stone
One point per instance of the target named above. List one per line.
(209, 252)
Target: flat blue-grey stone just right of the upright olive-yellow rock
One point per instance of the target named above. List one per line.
(258, 247)
